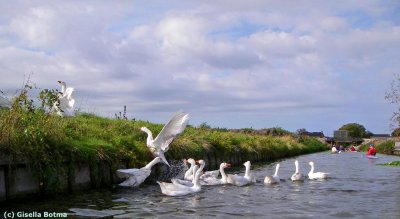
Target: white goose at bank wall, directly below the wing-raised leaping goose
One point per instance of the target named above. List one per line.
(134, 176)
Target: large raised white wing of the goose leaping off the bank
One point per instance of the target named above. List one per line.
(173, 128)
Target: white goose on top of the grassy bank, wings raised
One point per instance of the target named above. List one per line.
(65, 100)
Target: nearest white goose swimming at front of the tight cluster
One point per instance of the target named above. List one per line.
(171, 189)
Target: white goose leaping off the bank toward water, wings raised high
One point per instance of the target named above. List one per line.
(170, 131)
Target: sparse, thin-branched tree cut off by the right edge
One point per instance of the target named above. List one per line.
(393, 96)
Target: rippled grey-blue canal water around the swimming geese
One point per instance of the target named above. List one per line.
(358, 188)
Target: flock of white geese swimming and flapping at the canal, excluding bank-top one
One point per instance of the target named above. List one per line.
(194, 178)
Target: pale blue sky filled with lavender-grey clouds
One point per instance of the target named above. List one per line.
(256, 64)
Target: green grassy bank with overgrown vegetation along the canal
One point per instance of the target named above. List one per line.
(49, 142)
